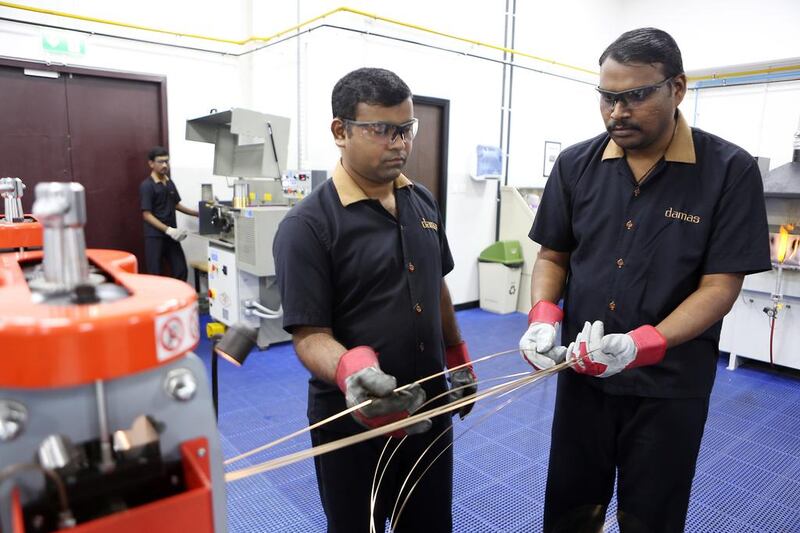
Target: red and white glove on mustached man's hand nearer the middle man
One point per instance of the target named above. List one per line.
(537, 345)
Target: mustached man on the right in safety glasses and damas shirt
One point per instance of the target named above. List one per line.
(646, 231)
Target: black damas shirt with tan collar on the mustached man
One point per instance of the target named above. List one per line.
(638, 251)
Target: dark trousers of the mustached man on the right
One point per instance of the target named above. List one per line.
(651, 444)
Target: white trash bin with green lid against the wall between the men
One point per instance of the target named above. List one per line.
(499, 273)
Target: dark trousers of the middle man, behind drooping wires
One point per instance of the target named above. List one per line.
(344, 478)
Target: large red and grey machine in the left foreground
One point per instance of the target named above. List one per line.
(106, 419)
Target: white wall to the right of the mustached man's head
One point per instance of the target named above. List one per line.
(718, 33)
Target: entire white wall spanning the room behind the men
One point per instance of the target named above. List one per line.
(295, 78)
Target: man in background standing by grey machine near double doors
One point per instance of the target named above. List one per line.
(159, 200)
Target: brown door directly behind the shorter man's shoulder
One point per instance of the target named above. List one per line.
(427, 163)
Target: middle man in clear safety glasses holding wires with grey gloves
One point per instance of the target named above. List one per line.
(360, 264)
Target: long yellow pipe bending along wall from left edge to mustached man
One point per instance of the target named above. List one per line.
(257, 38)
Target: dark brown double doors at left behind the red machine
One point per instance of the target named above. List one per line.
(87, 126)
